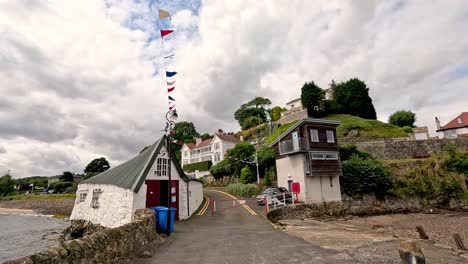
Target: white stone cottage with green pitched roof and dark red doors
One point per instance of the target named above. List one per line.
(111, 198)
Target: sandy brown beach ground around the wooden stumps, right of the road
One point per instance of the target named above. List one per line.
(376, 239)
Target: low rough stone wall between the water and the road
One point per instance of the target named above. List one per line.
(106, 246)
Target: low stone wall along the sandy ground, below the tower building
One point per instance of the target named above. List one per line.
(367, 205)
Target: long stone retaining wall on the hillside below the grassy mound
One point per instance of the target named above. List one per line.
(404, 148)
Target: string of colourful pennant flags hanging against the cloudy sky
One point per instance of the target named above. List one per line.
(170, 80)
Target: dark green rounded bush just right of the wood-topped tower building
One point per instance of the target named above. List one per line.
(365, 176)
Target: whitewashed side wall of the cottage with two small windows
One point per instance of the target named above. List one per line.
(115, 205)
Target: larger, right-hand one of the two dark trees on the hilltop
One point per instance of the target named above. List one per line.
(353, 96)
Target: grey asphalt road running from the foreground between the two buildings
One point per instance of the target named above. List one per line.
(237, 236)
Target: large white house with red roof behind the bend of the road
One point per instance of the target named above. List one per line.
(213, 149)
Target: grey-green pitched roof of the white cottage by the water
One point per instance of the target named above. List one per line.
(132, 173)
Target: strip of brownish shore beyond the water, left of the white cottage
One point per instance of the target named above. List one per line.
(62, 207)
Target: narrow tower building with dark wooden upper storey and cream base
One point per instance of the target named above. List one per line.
(307, 156)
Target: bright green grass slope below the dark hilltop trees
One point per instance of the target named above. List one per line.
(365, 127)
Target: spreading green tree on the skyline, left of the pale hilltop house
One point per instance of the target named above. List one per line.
(256, 107)
